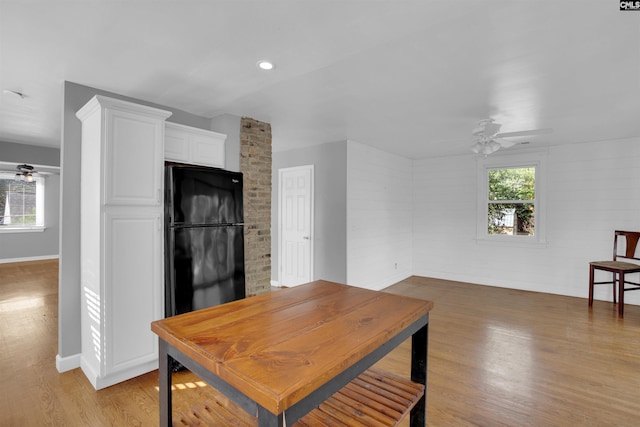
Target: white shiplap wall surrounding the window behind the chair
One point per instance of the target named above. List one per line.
(592, 190)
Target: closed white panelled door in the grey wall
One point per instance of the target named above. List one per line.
(296, 225)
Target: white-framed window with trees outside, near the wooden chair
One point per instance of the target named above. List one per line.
(510, 206)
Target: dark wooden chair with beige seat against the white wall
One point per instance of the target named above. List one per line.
(618, 269)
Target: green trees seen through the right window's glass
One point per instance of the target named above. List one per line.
(511, 201)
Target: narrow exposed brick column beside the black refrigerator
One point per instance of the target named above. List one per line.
(255, 164)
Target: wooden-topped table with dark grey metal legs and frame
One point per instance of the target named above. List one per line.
(282, 354)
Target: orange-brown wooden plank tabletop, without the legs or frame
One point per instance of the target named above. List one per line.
(279, 347)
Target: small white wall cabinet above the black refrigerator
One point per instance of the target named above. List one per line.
(186, 144)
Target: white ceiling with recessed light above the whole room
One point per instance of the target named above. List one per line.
(410, 77)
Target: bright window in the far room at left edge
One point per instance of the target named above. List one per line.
(21, 203)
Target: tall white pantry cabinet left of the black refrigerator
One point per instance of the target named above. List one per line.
(121, 238)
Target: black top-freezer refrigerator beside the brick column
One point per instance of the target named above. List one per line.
(204, 241)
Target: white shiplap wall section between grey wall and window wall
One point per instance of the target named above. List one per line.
(379, 217)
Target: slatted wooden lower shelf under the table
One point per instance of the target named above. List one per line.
(374, 399)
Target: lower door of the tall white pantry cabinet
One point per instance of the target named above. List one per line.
(132, 287)
